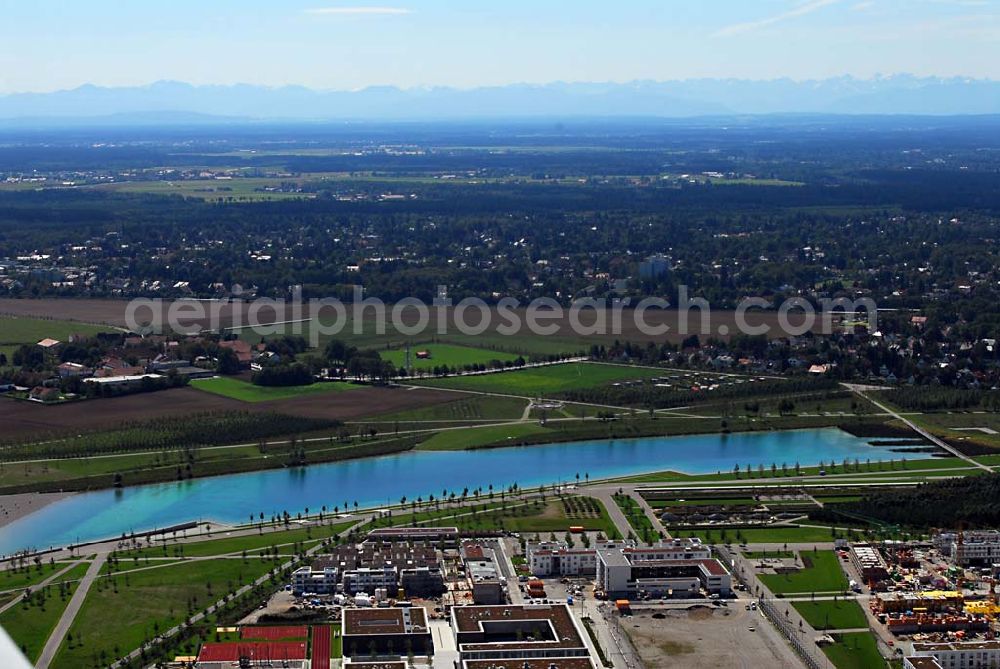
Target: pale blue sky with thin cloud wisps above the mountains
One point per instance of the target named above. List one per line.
(348, 44)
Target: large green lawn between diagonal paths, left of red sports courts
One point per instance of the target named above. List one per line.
(134, 606)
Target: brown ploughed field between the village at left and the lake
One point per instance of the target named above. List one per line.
(22, 419)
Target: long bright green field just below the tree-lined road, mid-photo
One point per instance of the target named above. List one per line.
(545, 380)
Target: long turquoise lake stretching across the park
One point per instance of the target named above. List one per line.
(383, 480)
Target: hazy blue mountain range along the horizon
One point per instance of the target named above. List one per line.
(900, 94)
